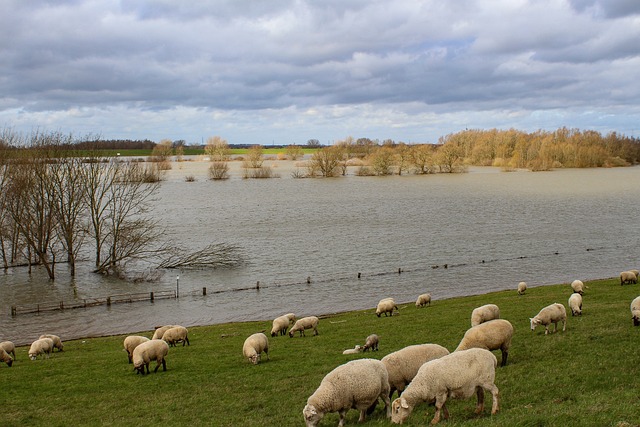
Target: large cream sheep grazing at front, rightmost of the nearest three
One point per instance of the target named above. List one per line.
(457, 375)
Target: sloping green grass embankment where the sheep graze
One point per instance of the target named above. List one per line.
(586, 376)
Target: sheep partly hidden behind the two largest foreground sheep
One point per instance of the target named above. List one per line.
(402, 365)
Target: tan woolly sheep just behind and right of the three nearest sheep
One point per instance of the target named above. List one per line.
(492, 335)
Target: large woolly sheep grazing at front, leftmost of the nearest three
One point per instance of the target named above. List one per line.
(356, 384)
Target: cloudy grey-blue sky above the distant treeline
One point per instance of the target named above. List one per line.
(286, 71)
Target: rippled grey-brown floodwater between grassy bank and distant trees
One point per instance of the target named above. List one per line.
(491, 229)
